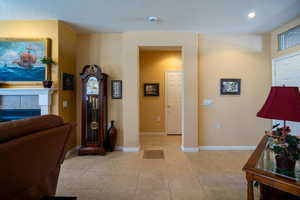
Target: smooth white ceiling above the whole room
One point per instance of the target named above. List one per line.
(207, 16)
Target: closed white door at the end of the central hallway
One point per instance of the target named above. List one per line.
(173, 92)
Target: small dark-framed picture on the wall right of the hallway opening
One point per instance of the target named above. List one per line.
(230, 86)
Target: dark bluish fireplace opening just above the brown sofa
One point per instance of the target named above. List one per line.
(15, 114)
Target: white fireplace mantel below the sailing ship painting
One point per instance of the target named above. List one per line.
(44, 94)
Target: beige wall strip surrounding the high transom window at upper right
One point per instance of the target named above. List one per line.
(275, 52)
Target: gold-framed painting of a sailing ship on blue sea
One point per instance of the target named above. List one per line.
(20, 60)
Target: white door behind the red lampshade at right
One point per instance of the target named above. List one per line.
(286, 71)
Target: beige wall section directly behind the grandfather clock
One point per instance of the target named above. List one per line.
(104, 50)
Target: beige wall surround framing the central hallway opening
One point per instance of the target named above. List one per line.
(131, 43)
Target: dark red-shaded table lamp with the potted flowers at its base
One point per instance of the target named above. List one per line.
(283, 103)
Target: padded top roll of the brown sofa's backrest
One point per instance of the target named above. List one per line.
(19, 128)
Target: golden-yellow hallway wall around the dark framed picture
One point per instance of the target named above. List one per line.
(153, 65)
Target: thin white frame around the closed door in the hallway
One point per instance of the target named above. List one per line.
(166, 99)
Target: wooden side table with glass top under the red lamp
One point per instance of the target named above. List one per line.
(261, 167)
